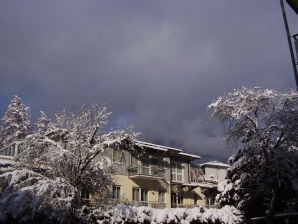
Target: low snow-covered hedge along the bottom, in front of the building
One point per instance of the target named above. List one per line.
(126, 214)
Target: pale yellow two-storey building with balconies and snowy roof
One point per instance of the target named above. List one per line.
(158, 176)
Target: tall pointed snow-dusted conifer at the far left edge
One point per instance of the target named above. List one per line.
(15, 123)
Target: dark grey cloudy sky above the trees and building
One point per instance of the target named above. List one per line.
(156, 65)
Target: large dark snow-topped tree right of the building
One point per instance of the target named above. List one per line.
(262, 124)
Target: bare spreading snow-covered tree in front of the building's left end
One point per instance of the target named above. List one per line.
(75, 149)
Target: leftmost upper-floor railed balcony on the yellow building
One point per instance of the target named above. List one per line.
(146, 172)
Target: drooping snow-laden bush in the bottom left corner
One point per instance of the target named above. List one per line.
(29, 197)
